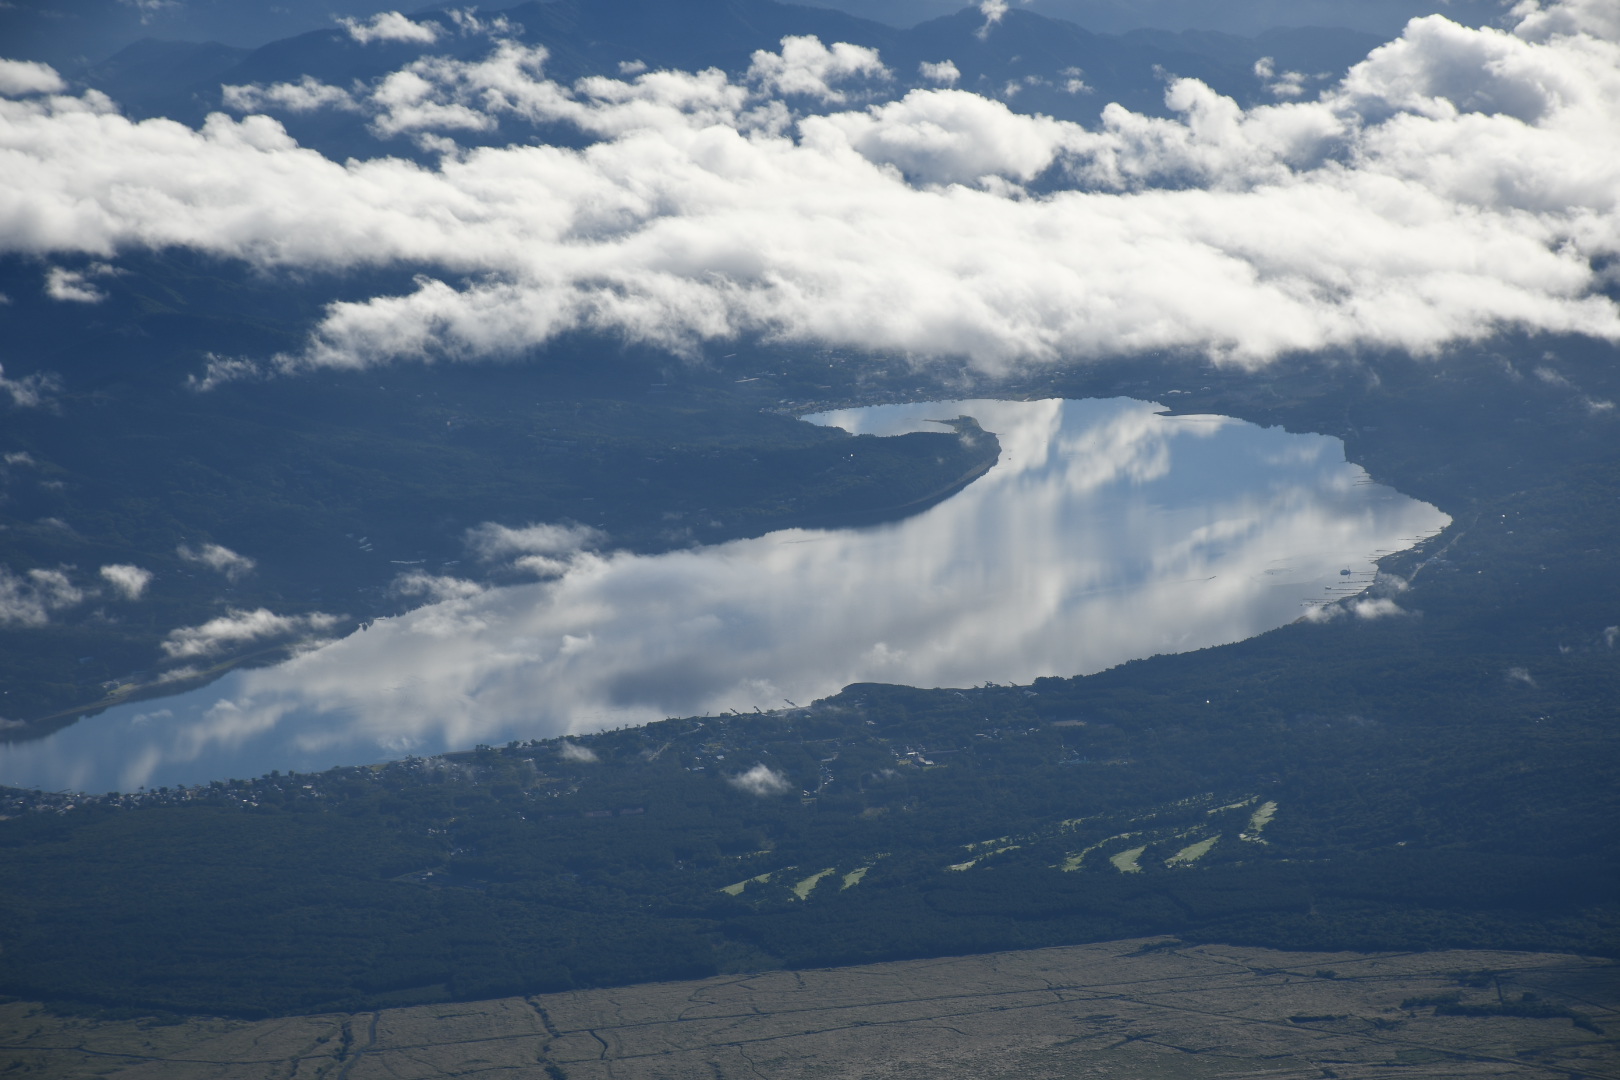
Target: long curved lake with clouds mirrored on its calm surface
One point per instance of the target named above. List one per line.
(1107, 532)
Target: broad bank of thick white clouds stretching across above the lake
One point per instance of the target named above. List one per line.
(1454, 184)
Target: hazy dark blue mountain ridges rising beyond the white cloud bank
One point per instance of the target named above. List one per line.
(1028, 61)
